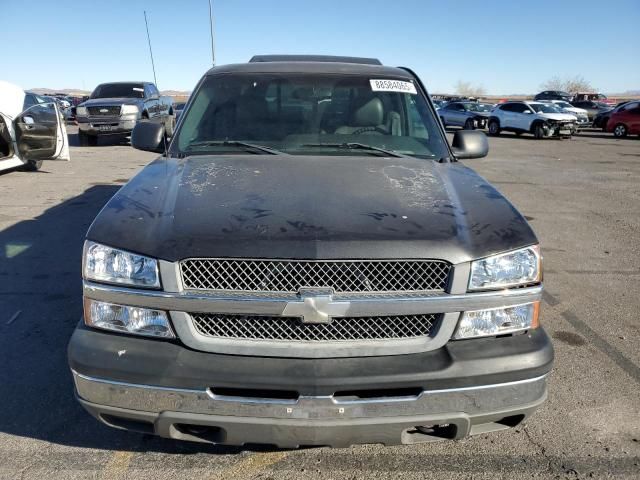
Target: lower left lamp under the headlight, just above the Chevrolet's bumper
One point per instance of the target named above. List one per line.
(122, 318)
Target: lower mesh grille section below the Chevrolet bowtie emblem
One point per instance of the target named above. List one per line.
(341, 329)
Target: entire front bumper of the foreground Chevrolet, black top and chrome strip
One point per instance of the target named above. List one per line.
(465, 388)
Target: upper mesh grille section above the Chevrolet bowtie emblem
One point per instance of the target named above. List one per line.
(291, 275)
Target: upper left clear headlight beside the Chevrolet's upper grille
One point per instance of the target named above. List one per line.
(106, 264)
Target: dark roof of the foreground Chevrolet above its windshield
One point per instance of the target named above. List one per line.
(305, 66)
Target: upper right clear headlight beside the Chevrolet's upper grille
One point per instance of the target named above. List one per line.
(507, 269)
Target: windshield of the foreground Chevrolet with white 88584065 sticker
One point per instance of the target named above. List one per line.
(310, 114)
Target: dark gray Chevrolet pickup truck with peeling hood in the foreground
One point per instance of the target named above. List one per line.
(309, 264)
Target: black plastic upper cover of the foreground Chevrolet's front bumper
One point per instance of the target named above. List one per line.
(463, 363)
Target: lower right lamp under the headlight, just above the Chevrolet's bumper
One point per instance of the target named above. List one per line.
(498, 321)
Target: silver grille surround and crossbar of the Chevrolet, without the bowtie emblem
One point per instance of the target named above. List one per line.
(181, 303)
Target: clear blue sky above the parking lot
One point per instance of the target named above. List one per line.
(508, 47)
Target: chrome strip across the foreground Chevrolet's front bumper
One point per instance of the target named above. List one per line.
(470, 400)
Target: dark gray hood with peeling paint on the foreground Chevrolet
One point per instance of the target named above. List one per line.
(310, 207)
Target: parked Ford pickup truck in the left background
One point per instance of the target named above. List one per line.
(115, 108)
